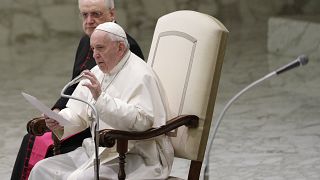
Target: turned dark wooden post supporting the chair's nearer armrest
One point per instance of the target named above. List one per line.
(122, 148)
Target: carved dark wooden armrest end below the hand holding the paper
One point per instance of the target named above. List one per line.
(37, 126)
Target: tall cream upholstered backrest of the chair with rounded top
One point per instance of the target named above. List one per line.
(187, 51)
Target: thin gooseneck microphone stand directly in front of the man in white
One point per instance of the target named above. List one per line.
(95, 126)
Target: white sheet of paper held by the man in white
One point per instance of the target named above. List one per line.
(47, 111)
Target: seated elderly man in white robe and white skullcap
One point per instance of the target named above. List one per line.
(128, 96)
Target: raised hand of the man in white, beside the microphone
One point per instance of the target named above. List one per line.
(94, 86)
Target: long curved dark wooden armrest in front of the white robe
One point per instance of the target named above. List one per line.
(107, 138)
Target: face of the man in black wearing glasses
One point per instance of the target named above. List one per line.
(93, 13)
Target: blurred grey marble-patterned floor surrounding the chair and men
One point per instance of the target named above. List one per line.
(272, 132)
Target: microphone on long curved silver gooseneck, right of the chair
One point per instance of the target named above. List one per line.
(300, 61)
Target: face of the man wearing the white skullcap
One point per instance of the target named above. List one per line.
(106, 53)
